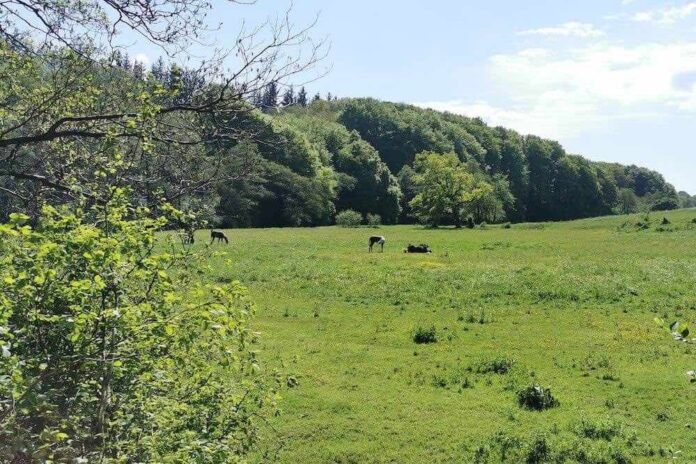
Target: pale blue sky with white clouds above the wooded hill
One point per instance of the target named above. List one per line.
(612, 80)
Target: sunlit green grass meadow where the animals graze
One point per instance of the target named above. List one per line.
(571, 305)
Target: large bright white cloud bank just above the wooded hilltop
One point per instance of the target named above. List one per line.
(564, 94)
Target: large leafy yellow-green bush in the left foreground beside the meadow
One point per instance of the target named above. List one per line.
(106, 359)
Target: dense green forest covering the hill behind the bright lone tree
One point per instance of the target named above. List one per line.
(305, 161)
